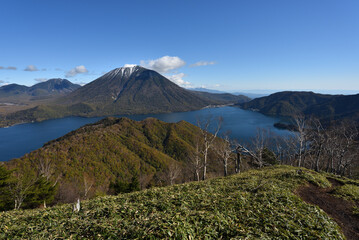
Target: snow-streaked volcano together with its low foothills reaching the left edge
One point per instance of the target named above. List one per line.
(126, 90)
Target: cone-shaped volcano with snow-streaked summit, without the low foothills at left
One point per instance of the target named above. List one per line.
(137, 90)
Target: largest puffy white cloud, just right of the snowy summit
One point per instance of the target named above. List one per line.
(163, 64)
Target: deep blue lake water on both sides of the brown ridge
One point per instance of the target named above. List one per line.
(17, 140)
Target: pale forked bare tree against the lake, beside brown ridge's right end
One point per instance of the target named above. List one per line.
(208, 139)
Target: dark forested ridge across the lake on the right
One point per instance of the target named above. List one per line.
(323, 106)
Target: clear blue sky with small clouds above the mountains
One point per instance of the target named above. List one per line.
(239, 45)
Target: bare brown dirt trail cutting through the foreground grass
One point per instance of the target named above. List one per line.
(339, 209)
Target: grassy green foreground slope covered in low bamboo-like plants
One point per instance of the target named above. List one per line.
(258, 204)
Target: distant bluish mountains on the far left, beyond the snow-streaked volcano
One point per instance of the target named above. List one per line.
(50, 88)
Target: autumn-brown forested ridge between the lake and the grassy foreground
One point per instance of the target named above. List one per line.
(113, 149)
